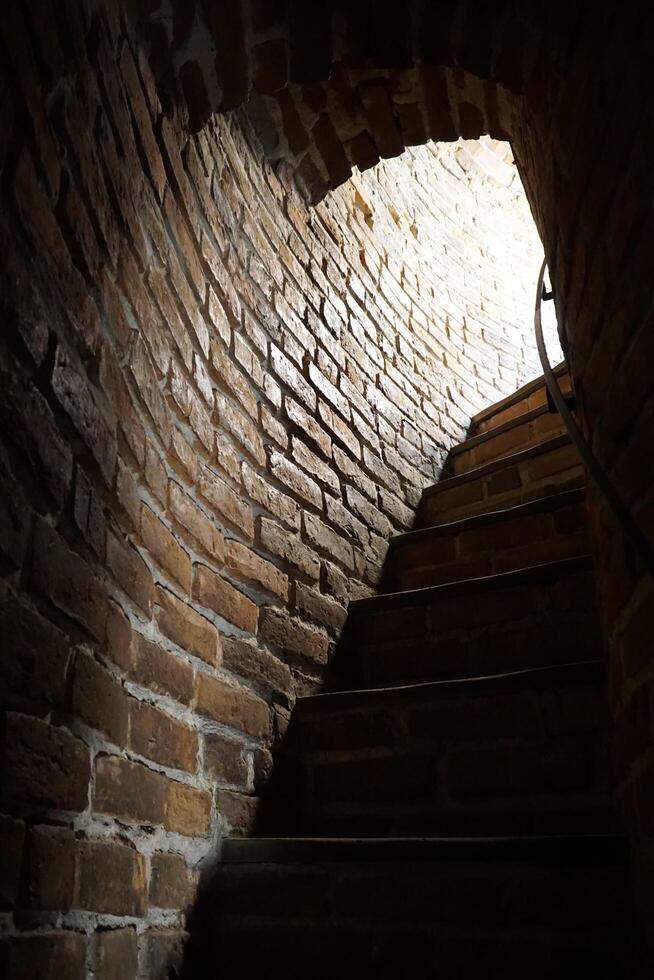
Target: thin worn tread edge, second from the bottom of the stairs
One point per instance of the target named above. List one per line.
(532, 678)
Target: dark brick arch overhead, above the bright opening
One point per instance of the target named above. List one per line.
(342, 84)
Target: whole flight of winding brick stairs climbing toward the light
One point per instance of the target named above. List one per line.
(445, 811)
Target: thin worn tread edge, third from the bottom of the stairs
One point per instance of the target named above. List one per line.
(535, 574)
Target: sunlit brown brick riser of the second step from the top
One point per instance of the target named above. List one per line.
(529, 429)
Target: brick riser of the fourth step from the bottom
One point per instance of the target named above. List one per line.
(544, 530)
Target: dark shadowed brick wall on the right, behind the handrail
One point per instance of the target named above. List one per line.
(589, 143)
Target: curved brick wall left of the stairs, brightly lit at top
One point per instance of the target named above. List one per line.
(217, 405)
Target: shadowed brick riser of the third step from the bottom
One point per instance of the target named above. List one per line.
(528, 618)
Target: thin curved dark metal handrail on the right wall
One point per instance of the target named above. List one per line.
(632, 531)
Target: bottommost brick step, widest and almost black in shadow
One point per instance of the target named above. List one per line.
(398, 910)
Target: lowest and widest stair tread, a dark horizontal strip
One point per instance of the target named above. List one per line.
(569, 850)
